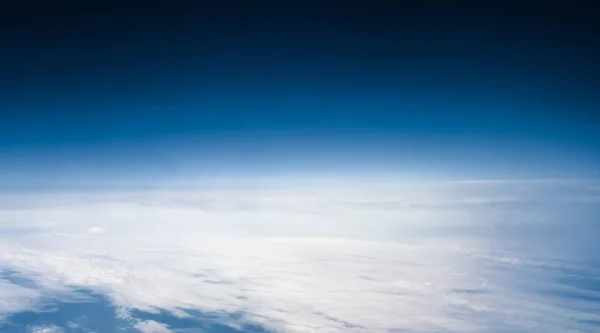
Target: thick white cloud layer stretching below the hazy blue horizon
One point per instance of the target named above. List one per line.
(445, 257)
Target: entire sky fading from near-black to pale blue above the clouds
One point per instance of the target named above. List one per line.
(116, 89)
